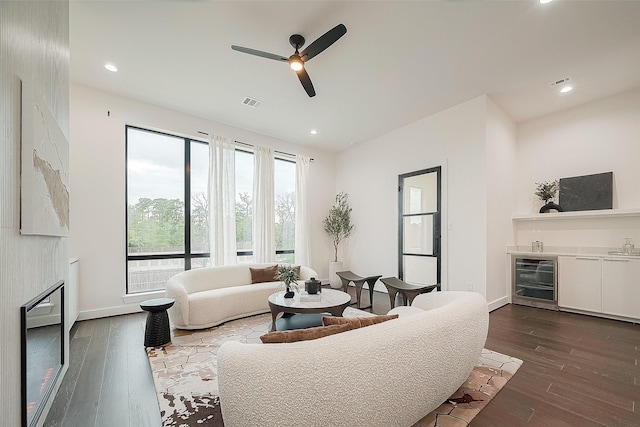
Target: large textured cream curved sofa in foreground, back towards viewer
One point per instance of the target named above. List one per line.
(388, 374)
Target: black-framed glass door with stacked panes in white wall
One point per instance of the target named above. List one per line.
(419, 228)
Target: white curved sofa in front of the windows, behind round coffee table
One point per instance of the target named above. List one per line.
(207, 297)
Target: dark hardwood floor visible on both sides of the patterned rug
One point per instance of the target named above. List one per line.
(578, 371)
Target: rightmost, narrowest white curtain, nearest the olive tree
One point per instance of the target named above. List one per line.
(302, 211)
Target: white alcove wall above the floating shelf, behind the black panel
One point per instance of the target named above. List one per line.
(601, 136)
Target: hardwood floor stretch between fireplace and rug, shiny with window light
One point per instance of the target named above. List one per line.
(109, 380)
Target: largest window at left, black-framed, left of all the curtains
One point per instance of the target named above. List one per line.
(167, 216)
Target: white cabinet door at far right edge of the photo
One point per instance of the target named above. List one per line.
(621, 287)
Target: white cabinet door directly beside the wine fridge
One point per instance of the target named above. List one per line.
(580, 283)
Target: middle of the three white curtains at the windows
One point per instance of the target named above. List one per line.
(264, 246)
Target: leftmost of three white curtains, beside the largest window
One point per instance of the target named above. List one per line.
(222, 203)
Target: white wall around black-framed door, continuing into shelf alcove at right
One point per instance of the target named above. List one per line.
(490, 167)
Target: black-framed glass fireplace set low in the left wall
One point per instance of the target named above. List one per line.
(42, 341)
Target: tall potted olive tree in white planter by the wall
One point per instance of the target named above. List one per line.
(338, 226)
